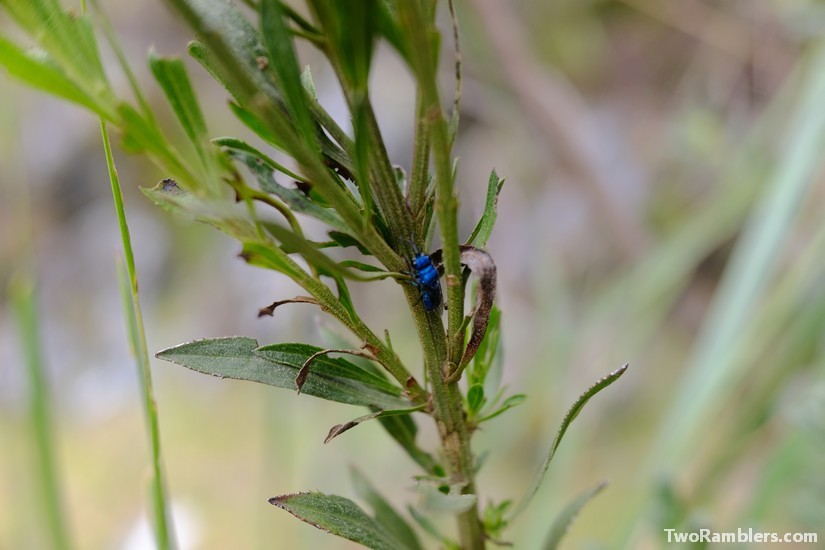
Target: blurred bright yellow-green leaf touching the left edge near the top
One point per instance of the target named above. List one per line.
(37, 70)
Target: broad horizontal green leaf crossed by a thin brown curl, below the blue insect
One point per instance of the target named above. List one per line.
(240, 358)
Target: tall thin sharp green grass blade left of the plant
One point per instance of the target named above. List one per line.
(164, 534)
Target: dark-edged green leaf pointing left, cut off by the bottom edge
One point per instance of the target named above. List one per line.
(339, 516)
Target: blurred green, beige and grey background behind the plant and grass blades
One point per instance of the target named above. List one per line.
(663, 207)
